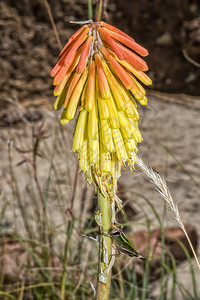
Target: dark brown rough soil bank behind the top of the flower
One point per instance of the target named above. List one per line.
(28, 48)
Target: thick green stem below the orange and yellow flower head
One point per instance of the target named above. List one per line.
(105, 249)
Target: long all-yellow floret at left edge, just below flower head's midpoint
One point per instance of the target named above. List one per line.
(80, 131)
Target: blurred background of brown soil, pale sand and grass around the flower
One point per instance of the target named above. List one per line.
(46, 206)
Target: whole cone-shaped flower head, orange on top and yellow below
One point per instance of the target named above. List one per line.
(98, 71)
